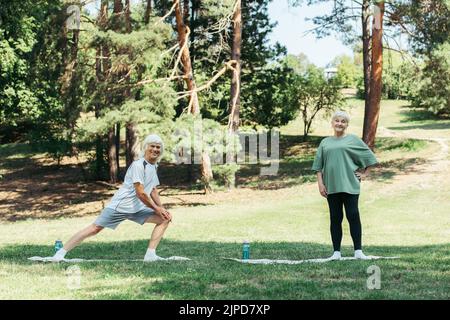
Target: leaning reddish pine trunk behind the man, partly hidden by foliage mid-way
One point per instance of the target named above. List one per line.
(194, 107)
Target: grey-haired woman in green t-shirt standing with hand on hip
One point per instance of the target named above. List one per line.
(341, 162)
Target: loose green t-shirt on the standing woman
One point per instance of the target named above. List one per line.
(338, 159)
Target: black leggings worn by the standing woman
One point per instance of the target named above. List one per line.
(350, 201)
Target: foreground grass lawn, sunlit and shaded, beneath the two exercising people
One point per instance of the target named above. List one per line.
(288, 228)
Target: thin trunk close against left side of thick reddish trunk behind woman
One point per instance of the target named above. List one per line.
(365, 17)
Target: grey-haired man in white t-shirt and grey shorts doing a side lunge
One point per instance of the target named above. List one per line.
(136, 200)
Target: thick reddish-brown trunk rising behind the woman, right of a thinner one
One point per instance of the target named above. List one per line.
(376, 79)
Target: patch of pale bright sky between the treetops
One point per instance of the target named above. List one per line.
(292, 25)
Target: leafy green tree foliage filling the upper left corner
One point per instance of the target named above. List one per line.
(24, 98)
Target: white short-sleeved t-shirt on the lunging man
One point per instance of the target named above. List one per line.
(125, 199)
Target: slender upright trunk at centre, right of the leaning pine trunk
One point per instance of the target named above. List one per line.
(233, 121)
